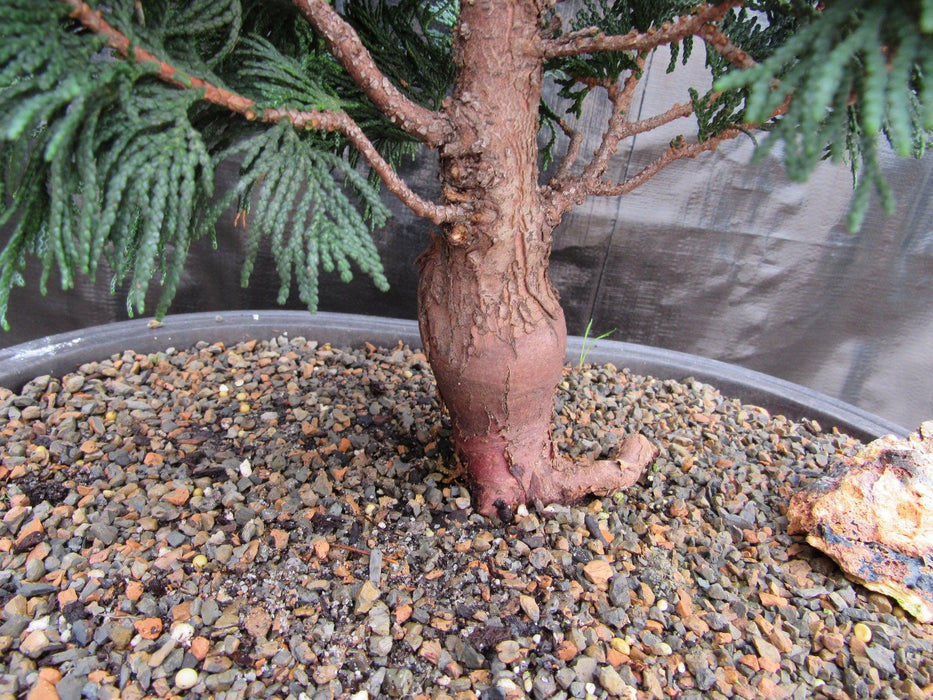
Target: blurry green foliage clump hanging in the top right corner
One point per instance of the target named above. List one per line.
(846, 75)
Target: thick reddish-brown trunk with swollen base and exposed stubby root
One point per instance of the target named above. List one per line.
(490, 320)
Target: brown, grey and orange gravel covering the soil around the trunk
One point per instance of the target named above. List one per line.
(283, 520)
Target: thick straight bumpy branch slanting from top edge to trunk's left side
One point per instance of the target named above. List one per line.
(433, 128)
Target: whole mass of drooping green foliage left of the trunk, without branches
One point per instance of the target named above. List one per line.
(101, 159)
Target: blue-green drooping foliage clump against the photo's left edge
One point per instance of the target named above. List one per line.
(79, 170)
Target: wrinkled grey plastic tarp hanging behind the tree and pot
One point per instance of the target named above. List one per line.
(714, 256)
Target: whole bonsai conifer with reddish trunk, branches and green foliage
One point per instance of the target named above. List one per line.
(115, 115)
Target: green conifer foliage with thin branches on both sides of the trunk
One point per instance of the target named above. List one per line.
(112, 129)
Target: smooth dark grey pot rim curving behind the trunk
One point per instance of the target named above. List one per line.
(60, 354)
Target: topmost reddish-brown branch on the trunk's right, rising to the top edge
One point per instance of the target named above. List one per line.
(592, 40)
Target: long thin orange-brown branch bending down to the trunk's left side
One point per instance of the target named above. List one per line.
(323, 120)
